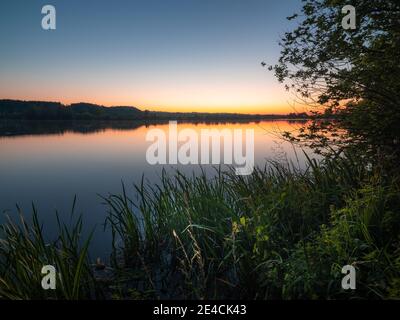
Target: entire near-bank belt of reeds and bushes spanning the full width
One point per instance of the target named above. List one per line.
(280, 233)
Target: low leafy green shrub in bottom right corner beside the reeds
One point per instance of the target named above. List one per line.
(364, 232)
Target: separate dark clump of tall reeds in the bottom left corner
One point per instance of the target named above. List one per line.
(24, 251)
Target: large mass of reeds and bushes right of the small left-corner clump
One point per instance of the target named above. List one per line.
(279, 233)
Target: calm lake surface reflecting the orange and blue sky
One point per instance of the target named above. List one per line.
(50, 169)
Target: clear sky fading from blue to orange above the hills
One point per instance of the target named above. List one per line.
(169, 55)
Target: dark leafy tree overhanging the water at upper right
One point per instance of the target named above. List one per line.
(351, 76)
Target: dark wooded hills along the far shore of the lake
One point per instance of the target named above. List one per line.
(40, 110)
